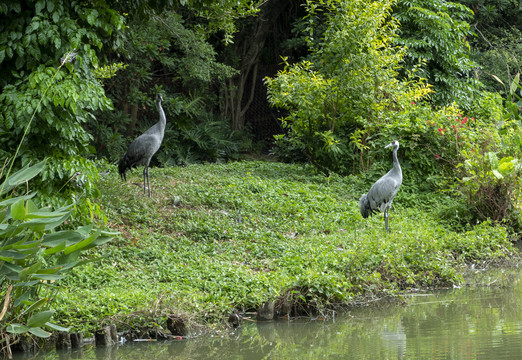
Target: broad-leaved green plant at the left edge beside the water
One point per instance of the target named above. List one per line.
(33, 255)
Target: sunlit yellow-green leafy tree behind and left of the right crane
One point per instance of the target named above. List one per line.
(348, 85)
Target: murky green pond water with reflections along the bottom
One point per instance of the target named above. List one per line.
(473, 322)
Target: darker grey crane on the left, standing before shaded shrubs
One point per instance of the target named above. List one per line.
(142, 149)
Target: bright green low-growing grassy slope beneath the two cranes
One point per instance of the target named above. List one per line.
(300, 235)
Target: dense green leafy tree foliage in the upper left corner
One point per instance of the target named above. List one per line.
(48, 50)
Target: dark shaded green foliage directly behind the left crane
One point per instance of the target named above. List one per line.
(155, 50)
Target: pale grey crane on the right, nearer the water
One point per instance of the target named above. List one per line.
(381, 194)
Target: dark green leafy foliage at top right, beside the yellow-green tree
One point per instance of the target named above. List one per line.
(435, 35)
